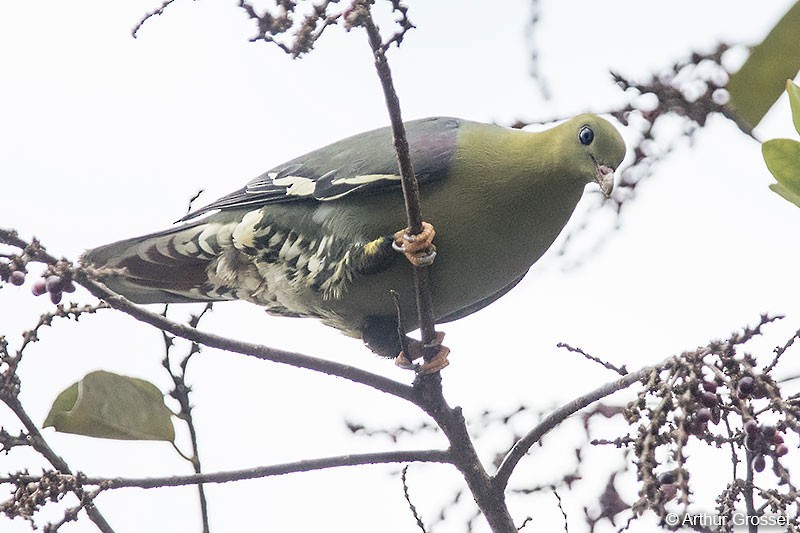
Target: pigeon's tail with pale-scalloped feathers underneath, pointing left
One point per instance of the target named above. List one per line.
(166, 267)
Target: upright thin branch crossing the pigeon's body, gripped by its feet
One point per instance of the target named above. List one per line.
(361, 15)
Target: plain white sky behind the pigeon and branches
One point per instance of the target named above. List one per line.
(104, 137)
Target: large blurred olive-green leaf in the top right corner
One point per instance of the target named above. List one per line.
(760, 81)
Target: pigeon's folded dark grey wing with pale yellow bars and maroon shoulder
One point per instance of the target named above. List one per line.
(363, 162)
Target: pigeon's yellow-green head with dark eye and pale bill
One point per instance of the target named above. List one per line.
(596, 147)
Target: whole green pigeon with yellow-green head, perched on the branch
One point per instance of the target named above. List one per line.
(316, 236)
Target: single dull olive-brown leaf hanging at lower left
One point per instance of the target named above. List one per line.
(111, 406)
